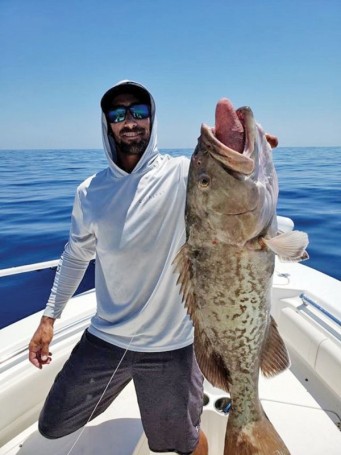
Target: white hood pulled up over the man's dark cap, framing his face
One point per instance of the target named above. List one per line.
(151, 151)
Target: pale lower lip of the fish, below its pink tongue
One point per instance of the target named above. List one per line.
(233, 160)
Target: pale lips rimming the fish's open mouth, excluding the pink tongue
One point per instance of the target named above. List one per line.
(233, 160)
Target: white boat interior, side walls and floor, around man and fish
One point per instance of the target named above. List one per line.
(303, 403)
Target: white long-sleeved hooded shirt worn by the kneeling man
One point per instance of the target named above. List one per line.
(133, 225)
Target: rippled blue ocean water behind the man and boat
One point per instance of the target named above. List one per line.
(36, 195)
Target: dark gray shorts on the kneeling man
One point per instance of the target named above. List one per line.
(171, 422)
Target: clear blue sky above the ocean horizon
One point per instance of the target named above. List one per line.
(281, 57)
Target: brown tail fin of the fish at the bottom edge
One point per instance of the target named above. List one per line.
(256, 438)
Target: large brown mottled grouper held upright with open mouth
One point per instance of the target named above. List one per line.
(226, 267)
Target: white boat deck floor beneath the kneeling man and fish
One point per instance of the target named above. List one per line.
(303, 425)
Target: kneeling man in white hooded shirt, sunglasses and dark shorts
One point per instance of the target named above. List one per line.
(130, 217)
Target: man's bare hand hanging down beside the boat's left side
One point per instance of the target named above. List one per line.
(39, 353)
